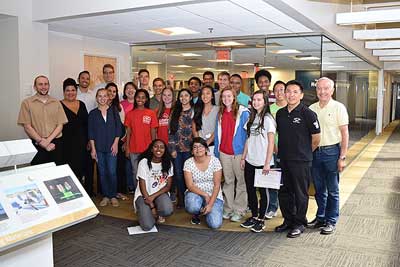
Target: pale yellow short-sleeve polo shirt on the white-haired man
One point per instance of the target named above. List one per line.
(331, 117)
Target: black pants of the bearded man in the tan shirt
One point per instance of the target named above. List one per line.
(44, 156)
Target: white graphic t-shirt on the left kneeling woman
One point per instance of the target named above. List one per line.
(155, 179)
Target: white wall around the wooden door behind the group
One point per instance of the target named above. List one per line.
(66, 53)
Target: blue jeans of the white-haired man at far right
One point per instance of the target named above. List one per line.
(326, 181)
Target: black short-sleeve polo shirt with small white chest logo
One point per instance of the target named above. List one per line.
(295, 130)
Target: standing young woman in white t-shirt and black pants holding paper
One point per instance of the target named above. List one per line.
(257, 154)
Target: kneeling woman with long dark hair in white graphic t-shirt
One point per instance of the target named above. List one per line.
(155, 173)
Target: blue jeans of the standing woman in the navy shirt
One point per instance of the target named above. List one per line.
(107, 165)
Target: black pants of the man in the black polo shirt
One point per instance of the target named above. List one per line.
(293, 194)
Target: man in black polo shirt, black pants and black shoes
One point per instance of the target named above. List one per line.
(299, 135)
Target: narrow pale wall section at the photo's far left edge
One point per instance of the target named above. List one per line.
(9, 77)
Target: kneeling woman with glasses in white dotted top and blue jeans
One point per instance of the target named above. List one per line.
(203, 180)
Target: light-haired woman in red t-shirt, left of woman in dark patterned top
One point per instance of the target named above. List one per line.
(164, 112)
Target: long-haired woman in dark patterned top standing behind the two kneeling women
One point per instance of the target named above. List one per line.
(180, 137)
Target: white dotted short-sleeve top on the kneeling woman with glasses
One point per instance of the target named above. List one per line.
(204, 180)
